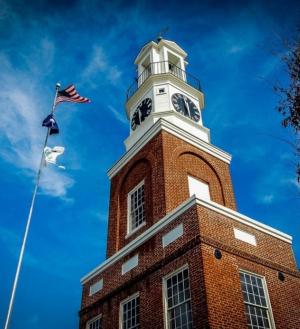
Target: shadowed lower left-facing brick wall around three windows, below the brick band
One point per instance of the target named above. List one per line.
(151, 298)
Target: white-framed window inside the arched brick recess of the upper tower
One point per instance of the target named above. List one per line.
(136, 208)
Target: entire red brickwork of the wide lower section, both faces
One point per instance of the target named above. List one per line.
(215, 285)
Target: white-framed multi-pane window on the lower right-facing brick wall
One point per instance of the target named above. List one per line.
(258, 308)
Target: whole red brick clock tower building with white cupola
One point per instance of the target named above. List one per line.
(179, 255)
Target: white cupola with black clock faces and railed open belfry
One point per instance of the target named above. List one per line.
(164, 90)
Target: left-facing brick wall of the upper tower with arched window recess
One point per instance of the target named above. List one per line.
(148, 164)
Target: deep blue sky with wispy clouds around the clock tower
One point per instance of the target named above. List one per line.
(93, 45)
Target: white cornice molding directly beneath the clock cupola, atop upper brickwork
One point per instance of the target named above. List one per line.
(162, 124)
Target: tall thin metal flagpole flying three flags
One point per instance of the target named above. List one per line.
(11, 302)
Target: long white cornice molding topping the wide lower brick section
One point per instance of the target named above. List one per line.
(154, 229)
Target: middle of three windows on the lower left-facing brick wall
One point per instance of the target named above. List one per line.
(130, 313)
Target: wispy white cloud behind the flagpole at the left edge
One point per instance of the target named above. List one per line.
(21, 134)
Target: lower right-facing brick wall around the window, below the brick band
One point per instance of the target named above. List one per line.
(224, 296)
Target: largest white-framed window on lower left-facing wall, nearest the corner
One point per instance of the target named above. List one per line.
(177, 297)
